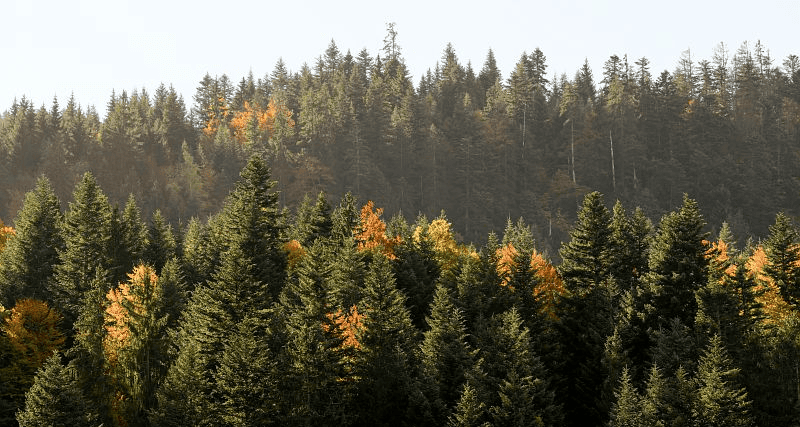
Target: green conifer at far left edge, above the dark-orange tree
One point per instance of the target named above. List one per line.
(27, 262)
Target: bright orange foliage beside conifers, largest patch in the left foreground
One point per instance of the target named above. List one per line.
(117, 314)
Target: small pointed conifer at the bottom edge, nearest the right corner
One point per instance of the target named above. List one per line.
(719, 401)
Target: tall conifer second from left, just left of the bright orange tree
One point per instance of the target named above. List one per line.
(87, 238)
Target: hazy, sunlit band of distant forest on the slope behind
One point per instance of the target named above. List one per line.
(482, 146)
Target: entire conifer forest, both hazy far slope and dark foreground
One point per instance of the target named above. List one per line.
(345, 246)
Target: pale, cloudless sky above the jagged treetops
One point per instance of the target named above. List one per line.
(89, 47)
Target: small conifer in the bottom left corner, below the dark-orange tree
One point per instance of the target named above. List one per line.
(56, 398)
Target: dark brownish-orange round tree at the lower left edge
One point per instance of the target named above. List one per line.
(32, 329)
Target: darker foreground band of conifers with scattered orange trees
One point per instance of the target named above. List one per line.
(337, 316)
